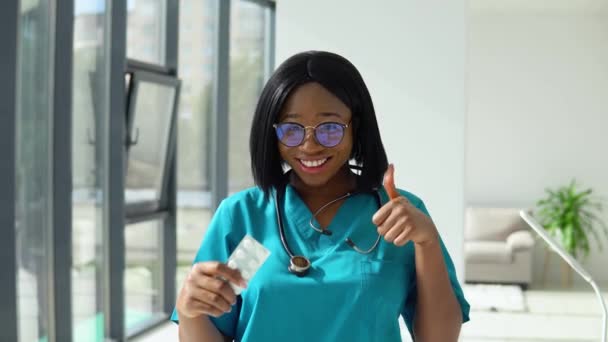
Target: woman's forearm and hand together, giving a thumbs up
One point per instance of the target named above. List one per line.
(438, 314)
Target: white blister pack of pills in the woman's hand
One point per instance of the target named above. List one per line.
(248, 257)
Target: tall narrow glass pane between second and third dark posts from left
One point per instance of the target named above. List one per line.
(89, 146)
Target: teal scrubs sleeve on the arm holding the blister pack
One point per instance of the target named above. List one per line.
(216, 246)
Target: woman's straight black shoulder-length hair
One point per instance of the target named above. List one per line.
(340, 77)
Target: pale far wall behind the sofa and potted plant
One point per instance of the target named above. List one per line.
(538, 106)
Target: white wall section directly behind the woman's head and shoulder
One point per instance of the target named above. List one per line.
(411, 55)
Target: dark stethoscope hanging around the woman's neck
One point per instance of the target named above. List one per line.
(299, 264)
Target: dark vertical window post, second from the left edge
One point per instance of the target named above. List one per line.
(61, 238)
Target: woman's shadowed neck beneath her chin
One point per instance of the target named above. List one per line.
(342, 182)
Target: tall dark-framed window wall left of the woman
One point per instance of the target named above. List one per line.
(82, 127)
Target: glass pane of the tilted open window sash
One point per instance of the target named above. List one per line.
(151, 128)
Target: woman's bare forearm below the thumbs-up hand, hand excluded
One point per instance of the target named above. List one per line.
(438, 315)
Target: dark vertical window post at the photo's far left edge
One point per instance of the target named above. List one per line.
(9, 15)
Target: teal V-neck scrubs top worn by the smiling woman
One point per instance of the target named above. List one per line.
(346, 296)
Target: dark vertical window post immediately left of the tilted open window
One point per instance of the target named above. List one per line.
(114, 239)
